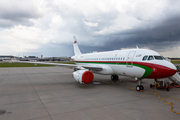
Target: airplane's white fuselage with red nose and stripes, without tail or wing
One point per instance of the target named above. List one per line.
(126, 62)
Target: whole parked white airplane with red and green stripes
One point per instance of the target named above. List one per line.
(135, 63)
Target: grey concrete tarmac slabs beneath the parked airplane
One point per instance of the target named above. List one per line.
(51, 93)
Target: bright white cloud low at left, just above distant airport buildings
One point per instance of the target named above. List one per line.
(22, 39)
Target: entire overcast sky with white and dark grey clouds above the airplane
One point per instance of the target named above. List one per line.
(47, 27)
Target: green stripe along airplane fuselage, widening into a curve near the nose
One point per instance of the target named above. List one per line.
(147, 72)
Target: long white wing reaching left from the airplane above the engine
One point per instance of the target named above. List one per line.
(91, 67)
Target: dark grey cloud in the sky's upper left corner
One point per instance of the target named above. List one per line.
(18, 13)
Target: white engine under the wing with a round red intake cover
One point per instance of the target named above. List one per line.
(83, 76)
